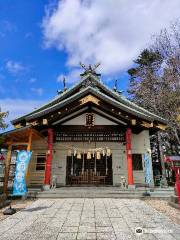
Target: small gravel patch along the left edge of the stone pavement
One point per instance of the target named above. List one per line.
(17, 204)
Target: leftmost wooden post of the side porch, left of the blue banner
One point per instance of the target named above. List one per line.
(7, 169)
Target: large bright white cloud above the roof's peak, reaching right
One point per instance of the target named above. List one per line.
(106, 31)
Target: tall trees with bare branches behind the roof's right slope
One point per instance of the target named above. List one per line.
(155, 80)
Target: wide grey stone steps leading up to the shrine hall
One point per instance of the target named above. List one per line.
(101, 192)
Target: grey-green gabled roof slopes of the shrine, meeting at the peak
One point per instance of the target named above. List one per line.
(91, 84)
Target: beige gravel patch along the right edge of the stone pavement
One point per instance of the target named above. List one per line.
(163, 207)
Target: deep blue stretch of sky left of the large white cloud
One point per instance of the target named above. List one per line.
(21, 43)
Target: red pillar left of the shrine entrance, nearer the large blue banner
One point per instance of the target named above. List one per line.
(47, 179)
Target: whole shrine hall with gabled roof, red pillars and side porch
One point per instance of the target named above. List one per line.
(88, 134)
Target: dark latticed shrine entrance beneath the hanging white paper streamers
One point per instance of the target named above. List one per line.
(89, 171)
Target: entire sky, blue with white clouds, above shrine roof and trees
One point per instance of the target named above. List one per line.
(42, 40)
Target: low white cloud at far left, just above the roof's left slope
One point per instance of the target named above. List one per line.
(18, 107)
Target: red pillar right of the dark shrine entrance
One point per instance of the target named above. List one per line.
(129, 156)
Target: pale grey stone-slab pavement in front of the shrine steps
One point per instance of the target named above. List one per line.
(102, 218)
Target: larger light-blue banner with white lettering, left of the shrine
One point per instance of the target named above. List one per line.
(22, 162)
